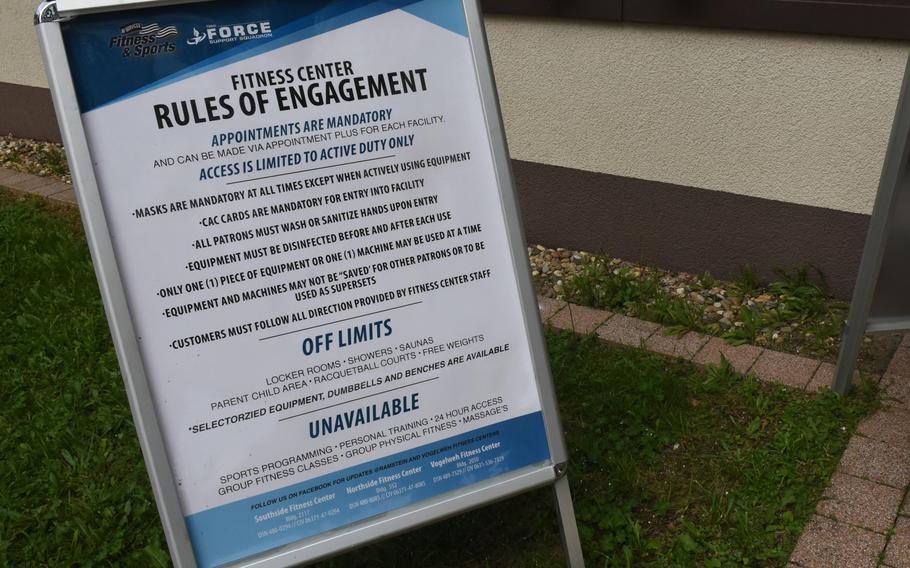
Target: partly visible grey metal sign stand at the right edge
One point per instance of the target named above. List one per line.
(881, 296)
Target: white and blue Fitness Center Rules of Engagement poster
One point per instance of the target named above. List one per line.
(306, 217)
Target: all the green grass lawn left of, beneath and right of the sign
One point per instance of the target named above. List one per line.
(671, 465)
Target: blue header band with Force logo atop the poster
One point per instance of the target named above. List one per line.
(117, 55)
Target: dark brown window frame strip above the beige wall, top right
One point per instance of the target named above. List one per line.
(885, 19)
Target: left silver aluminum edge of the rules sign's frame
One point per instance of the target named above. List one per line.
(113, 296)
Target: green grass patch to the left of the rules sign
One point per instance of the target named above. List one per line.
(74, 489)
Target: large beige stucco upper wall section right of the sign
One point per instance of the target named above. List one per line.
(802, 119)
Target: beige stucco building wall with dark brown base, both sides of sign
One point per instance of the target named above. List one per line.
(686, 148)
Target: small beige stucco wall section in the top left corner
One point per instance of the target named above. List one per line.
(20, 61)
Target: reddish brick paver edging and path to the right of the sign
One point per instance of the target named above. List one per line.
(863, 519)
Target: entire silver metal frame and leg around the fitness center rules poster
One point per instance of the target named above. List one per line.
(135, 379)
